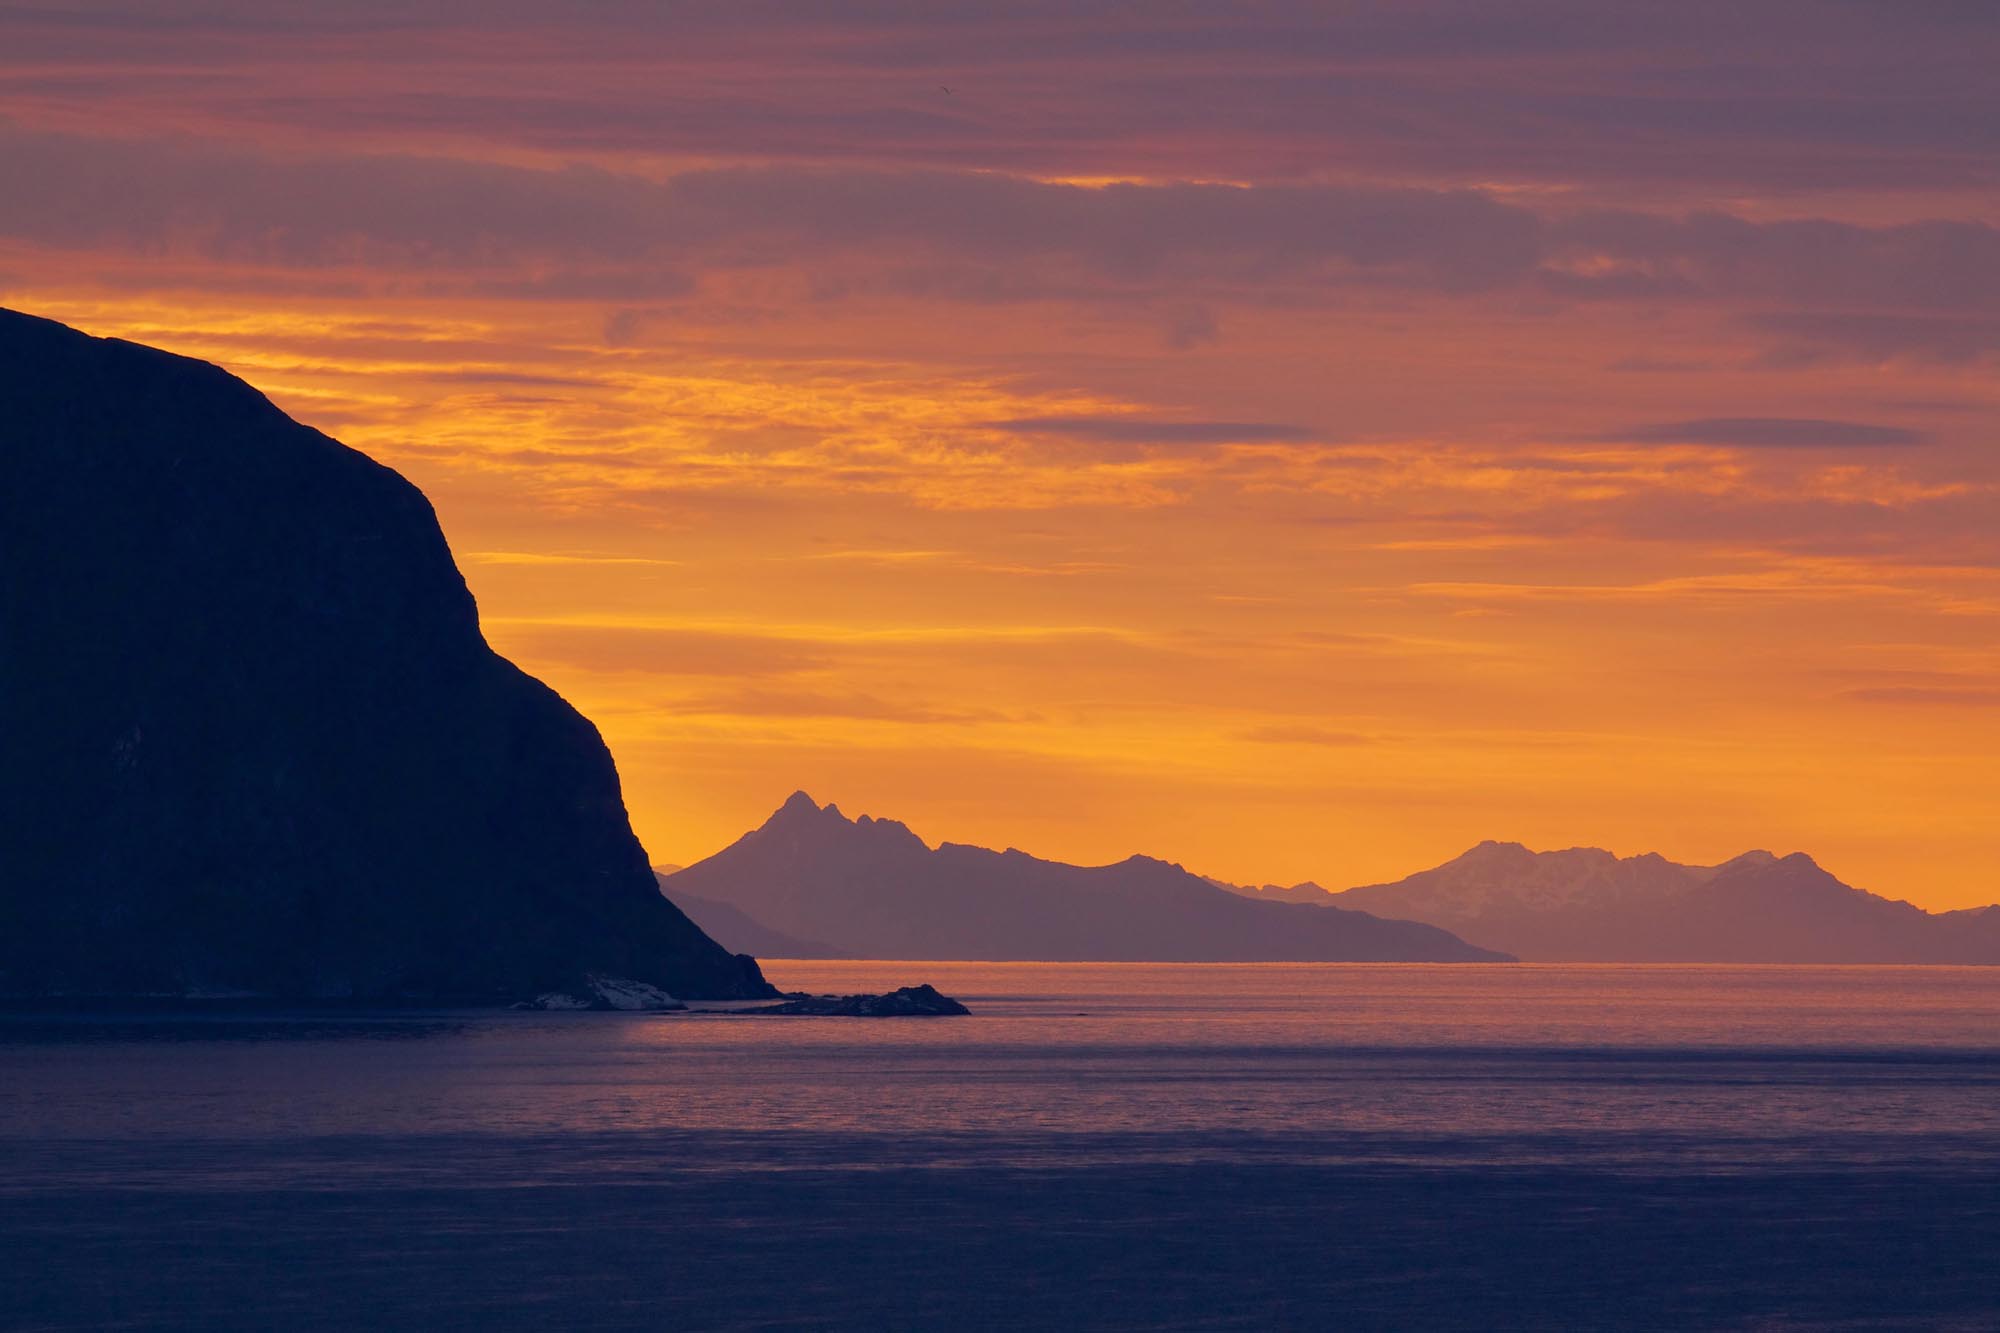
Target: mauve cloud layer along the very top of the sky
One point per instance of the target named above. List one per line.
(1815, 95)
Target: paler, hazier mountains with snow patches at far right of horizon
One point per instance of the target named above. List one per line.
(1587, 906)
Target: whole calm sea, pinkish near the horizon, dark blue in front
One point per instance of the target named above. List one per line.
(1099, 1146)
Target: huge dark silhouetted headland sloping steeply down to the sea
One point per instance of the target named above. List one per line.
(253, 738)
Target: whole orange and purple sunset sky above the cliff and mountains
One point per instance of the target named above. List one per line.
(1293, 441)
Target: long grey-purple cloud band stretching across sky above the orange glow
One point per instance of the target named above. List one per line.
(593, 235)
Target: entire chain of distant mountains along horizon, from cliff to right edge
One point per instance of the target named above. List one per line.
(815, 884)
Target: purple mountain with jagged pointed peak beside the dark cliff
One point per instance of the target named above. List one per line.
(869, 888)
